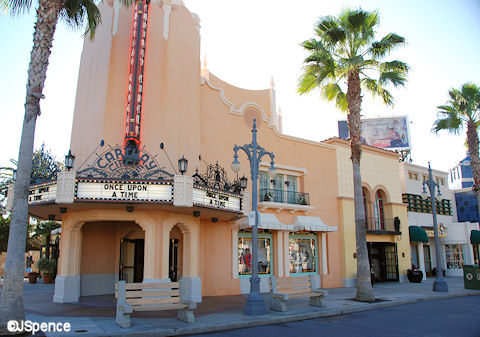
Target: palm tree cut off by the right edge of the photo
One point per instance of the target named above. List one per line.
(463, 109)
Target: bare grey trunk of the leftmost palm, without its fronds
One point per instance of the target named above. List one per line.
(11, 301)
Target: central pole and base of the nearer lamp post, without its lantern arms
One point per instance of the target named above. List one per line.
(255, 304)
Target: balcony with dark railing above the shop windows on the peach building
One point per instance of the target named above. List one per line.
(284, 199)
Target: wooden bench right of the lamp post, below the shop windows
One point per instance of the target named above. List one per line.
(283, 289)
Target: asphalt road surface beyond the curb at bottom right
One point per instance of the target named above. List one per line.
(459, 316)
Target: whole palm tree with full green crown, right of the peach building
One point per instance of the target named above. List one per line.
(346, 53)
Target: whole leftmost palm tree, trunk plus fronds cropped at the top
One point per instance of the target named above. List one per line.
(75, 13)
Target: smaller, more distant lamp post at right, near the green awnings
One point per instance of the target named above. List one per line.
(439, 284)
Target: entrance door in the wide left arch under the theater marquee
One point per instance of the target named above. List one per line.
(131, 260)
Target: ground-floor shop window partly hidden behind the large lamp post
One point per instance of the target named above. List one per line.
(264, 245)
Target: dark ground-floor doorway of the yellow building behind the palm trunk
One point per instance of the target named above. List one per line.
(383, 261)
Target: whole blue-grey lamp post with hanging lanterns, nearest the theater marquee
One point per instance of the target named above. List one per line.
(255, 304)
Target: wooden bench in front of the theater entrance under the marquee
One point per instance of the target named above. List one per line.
(150, 297)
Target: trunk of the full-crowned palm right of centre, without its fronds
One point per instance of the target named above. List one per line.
(354, 98)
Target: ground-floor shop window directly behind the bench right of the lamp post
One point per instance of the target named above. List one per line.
(302, 254)
